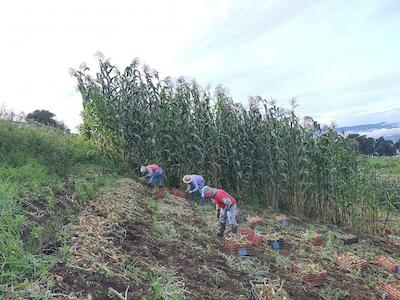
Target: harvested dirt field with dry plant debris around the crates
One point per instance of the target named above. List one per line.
(127, 245)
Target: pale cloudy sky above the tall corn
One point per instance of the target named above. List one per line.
(339, 59)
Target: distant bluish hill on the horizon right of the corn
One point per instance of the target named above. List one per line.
(389, 131)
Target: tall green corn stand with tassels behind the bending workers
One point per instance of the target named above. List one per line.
(264, 154)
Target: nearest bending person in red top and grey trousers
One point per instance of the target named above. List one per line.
(227, 205)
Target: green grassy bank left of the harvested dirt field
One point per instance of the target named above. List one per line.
(45, 178)
